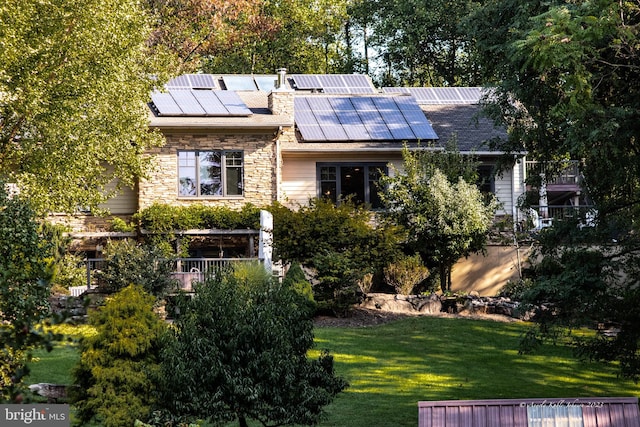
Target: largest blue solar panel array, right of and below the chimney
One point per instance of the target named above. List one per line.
(321, 118)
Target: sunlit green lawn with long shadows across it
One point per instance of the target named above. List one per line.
(393, 366)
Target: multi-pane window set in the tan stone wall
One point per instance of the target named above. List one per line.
(210, 173)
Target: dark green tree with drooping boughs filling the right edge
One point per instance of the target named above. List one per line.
(566, 76)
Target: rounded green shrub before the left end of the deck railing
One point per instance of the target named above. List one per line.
(128, 263)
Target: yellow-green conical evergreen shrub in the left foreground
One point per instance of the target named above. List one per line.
(119, 368)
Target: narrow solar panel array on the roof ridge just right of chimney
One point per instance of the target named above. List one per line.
(333, 83)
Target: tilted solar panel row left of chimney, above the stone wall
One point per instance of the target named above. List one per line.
(188, 102)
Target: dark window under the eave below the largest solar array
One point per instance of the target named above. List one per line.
(356, 180)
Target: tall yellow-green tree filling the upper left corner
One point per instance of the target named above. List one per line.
(74, 81)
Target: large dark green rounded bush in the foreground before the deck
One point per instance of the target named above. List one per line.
(239, 351)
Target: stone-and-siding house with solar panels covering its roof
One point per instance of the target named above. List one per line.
(237, 139)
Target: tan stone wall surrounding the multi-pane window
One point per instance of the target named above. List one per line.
(259, 169)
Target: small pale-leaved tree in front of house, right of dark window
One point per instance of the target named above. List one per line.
(445, 216)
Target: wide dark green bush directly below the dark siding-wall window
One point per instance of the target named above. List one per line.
(341, 243)
